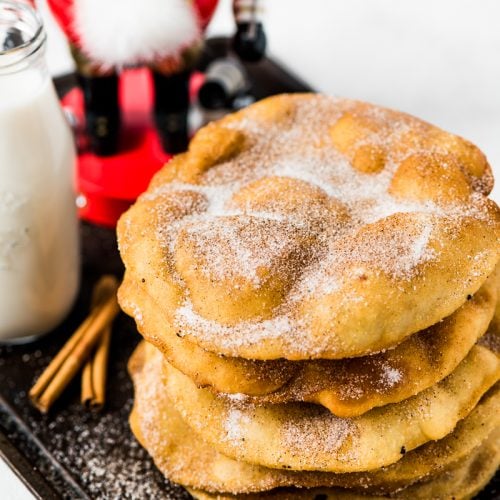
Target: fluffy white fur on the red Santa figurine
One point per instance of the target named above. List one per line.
(127, 32)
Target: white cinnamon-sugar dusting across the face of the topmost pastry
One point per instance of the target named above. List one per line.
(350, 221)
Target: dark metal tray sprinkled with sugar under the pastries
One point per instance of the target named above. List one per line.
(71, 453)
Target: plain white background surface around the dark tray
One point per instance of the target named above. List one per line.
(437, 59)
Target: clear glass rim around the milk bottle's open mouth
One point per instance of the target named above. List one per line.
(11, 57)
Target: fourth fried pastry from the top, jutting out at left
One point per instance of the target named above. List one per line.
(184, 457)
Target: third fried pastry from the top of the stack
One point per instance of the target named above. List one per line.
(299, 436)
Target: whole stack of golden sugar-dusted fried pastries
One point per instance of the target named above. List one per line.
(315, 283)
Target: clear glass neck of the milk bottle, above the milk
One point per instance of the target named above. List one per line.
(22, 39)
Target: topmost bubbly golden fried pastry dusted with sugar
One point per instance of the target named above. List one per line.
(309, 272)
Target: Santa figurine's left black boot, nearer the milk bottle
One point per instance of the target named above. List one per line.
(102, 113)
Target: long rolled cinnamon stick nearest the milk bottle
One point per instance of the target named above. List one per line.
(76, 351)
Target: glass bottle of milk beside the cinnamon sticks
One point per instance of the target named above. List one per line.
(39, 254)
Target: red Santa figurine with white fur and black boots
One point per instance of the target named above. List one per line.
(166, 35)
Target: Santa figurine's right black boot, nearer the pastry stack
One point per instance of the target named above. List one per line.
(171, 110)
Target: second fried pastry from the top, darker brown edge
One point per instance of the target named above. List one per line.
(347, 387)
